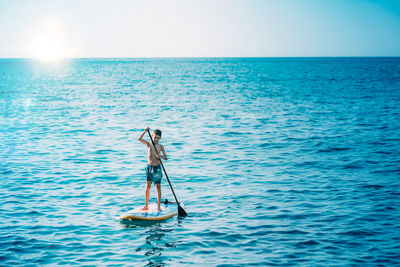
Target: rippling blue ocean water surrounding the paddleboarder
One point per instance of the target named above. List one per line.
(279, 161)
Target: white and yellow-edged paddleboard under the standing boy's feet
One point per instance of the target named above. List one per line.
(167, 211)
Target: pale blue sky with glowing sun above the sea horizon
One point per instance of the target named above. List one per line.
(198, 28)
